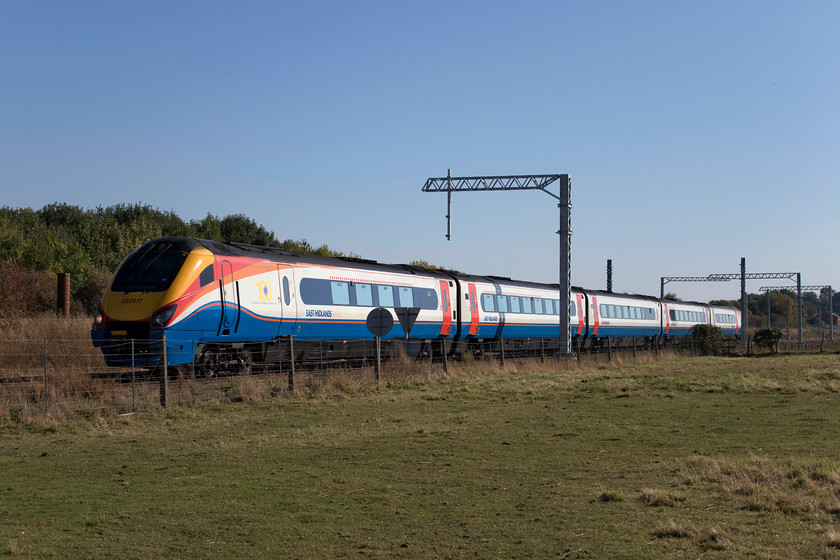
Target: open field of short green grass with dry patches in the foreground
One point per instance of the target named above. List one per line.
(680, 458)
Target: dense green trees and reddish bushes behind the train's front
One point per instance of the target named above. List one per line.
(35, 245)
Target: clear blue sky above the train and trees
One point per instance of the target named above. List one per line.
(696, 133)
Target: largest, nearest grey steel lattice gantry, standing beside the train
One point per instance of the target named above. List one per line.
(450, 184)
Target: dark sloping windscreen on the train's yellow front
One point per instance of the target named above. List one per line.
(151, 268)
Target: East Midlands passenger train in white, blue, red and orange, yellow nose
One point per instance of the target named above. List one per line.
(230, 306)
